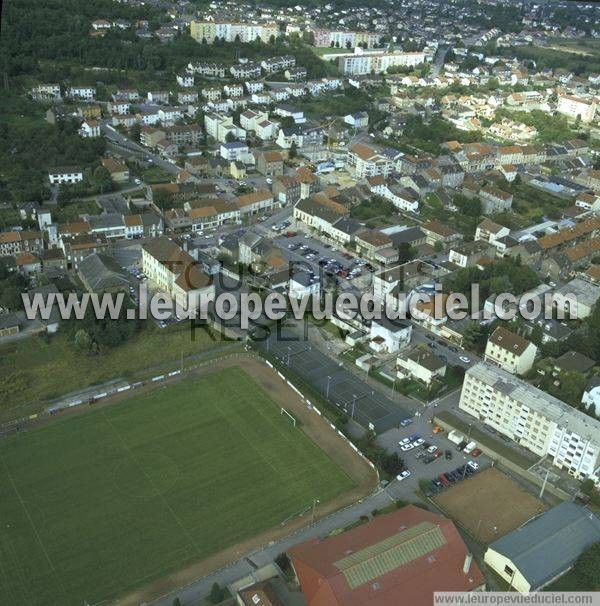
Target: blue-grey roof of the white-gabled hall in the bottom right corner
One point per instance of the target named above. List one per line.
(549, 544)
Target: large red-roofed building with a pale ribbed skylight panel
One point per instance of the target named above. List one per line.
(399, 558)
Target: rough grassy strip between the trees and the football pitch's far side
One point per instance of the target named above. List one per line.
(36, 370)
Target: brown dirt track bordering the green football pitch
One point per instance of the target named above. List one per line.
(313, 425)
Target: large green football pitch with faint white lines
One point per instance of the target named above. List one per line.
(101, 503)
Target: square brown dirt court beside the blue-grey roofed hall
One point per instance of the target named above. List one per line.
(489, 505)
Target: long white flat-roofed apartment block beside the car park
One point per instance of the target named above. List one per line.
(534, 419)
